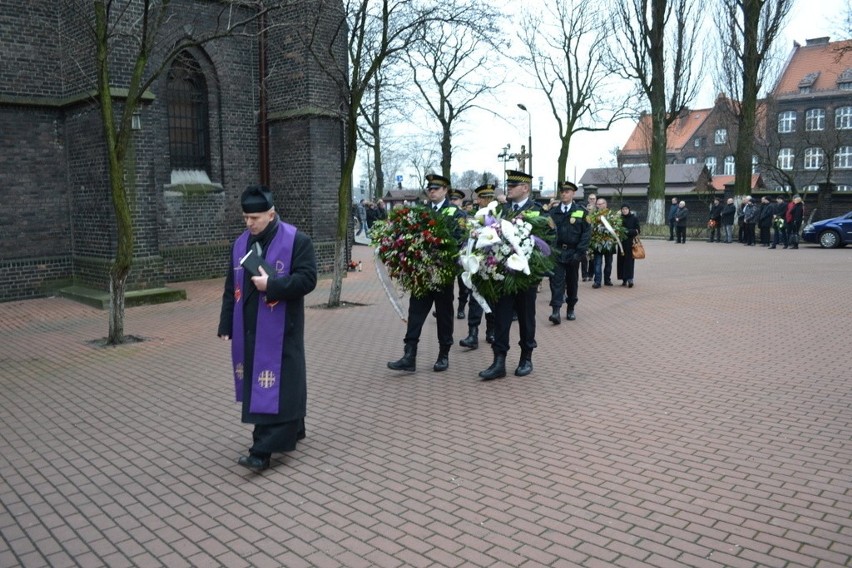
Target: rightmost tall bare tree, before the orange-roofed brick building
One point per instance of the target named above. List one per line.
(748, 32)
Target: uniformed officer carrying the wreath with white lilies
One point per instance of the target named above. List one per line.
(518, 202)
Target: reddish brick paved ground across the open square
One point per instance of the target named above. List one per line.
(702, 418)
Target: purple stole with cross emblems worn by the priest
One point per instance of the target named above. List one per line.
(271, 319)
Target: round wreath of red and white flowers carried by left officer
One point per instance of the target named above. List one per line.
(417, 246)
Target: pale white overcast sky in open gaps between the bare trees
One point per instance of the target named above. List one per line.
(483, 137)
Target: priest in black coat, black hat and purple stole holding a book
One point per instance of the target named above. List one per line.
(264, 316)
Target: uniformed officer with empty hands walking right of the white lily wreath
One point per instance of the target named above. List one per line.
(573, 234)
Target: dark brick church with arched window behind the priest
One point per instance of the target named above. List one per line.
(197, 144)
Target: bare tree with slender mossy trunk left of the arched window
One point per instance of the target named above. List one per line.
(147, 31)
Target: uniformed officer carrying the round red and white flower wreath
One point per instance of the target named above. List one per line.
(418, 308)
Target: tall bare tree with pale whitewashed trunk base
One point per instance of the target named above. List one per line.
(654, 42)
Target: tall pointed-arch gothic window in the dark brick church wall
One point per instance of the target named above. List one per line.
(187, 107)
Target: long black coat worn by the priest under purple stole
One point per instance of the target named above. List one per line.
(292, 289)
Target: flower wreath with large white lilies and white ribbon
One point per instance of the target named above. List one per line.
(504, 256)
